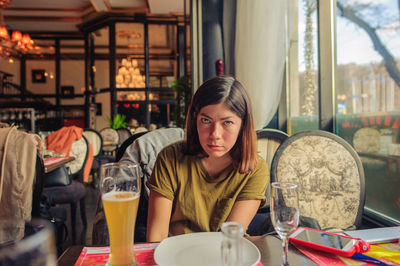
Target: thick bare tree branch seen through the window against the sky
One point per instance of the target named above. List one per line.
(389, 61)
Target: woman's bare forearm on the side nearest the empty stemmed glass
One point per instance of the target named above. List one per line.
(243, 211)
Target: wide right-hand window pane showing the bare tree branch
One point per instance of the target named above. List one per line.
(367, 112)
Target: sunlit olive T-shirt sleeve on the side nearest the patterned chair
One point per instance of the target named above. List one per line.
(257, 183)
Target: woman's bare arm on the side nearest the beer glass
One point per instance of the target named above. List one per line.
(159, 216)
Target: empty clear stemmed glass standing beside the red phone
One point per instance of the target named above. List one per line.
(284, 212)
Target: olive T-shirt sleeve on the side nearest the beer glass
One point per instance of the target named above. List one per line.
(162, 178)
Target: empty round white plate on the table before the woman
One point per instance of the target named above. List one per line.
(199, 249)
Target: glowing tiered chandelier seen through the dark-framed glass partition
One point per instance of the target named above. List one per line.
(128, 74)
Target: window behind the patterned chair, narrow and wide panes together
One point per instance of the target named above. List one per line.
(366, 112)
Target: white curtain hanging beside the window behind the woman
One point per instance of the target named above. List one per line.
(261, 46)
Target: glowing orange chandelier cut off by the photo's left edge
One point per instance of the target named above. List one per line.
(18, 43)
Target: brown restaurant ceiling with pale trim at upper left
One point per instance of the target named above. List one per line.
(63, 16)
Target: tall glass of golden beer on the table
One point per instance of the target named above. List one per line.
(120, 191)
